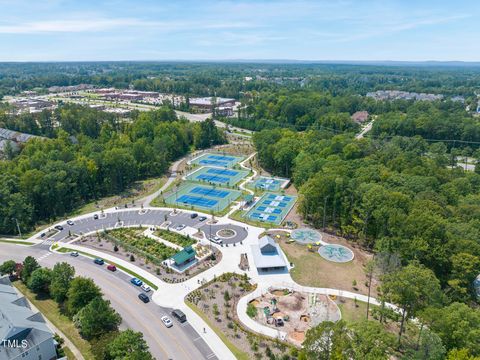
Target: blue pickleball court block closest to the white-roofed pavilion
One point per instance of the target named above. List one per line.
(272, 208)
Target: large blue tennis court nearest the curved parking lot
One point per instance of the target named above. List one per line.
(202, 197)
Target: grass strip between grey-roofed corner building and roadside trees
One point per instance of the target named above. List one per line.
(51, 311)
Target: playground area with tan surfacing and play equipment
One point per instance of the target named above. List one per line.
(294, 312)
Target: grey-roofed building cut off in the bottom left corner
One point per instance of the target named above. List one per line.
(24, 334)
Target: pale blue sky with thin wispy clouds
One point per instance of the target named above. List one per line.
(46, 30)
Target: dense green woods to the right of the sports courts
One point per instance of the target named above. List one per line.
(395, 197)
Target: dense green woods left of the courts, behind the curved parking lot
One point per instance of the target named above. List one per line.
(90, 156)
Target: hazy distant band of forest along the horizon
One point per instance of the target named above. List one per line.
(228, 79)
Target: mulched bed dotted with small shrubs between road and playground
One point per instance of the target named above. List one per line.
(216, 302)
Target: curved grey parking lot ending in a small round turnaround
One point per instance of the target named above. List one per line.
(149, 217)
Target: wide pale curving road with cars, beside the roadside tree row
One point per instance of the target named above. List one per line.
(180, 342)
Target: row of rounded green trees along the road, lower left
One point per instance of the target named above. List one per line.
(82, 301)
